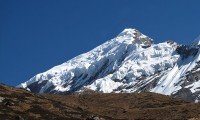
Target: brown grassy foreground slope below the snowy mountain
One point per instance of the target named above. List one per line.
(19, 104)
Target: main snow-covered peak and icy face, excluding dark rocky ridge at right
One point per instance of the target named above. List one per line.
(117, 63)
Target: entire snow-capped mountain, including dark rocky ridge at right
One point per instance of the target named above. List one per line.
(131, 62)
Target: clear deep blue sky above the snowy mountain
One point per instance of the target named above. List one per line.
(36, 35)
